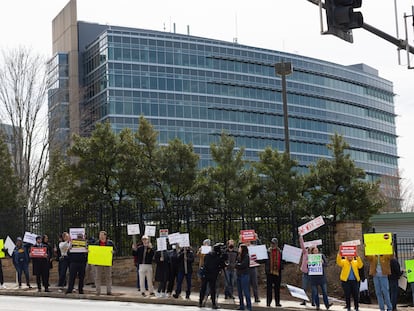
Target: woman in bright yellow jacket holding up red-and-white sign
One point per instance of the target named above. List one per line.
(350, 278)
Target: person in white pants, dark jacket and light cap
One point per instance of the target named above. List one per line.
(145, 255)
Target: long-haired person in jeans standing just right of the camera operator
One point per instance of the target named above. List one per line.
(243, 278)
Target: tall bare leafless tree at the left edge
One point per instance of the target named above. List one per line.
(23, 105)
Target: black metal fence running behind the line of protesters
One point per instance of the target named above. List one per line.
(217, 226)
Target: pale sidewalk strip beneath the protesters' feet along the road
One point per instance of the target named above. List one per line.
(130, 294)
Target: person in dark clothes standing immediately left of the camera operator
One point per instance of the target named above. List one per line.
(185, 269)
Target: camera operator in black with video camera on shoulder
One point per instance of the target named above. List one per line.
(214, 262)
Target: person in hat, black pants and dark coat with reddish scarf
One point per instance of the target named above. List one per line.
(273, 268)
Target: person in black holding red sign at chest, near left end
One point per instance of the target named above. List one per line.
(41, 265)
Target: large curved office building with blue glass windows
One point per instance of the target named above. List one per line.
(195, 88)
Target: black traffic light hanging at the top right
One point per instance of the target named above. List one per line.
(341, 18)
